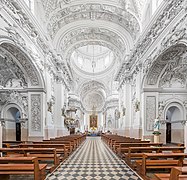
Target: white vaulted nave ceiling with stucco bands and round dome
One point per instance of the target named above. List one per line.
(93, 37)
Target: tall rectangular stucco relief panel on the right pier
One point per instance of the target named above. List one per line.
(150, 112)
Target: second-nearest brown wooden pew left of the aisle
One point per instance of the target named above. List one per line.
(43, 154)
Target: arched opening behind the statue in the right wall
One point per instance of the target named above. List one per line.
(174, 129)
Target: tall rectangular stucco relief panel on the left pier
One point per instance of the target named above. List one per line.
(36, 112)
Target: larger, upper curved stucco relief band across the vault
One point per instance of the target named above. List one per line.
(93, 12)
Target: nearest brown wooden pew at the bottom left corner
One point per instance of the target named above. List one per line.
(22, 166)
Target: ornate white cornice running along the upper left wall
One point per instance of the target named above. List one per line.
(26, 23)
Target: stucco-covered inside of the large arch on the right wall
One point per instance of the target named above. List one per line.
(164, 67)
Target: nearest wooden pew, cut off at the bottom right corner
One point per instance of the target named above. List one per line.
(174, 174)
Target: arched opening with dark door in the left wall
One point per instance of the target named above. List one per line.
(13, 124)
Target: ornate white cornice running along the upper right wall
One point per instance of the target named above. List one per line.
(171, 10)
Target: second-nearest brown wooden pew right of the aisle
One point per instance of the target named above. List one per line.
(159, 161)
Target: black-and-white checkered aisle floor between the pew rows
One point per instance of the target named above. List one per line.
(93, 160)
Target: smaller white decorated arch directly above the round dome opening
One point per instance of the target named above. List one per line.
(92, 31)
